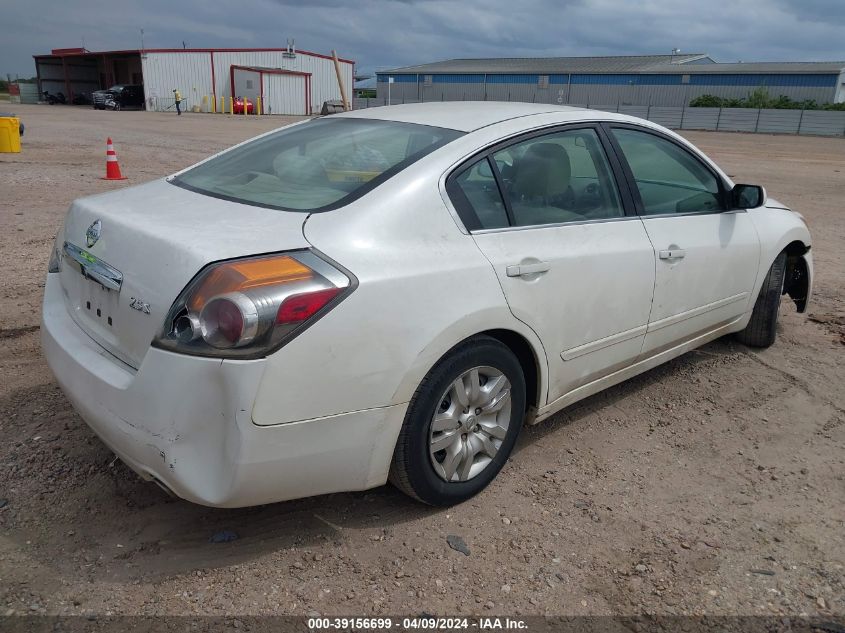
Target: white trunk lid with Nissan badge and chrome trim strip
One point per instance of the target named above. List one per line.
(128, 254)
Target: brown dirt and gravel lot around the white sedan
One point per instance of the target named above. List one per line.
(714, 484)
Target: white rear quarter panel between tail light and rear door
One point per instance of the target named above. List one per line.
(423, 286)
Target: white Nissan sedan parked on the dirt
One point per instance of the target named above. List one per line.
(392, 293)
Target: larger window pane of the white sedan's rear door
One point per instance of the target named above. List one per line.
(558, 177)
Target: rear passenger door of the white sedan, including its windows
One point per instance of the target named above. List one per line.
(546, 211)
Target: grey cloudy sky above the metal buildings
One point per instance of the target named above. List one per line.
(382, 34)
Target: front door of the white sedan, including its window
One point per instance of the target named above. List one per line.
(706, 257)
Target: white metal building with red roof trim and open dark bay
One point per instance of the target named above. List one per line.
(289, 81)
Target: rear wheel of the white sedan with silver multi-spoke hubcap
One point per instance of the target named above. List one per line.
(474, 448)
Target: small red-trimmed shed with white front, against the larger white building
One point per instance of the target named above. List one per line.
(282, 91)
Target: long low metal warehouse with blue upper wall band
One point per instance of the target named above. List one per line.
(650, 80)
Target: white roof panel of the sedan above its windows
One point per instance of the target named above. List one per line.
(465, 116)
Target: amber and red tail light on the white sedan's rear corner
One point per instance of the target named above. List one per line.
(248, 308)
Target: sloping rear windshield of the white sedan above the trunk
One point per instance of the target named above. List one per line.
(316, 166)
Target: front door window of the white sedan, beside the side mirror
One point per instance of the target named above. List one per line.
(668, 178)
